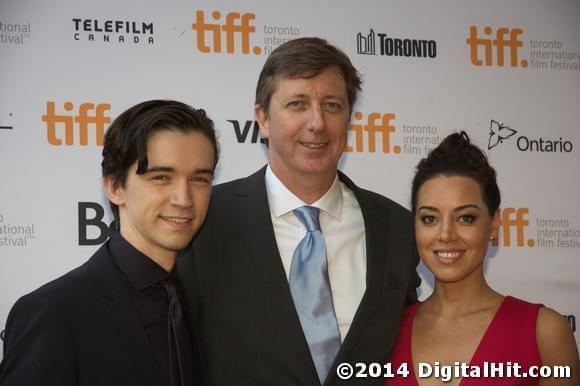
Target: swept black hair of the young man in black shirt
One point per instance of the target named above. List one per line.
(126, 138)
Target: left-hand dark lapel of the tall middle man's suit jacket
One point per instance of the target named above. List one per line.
(263, 250)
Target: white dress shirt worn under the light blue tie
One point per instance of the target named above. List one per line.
(342, 226)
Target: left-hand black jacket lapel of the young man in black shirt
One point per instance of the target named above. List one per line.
(123, 316)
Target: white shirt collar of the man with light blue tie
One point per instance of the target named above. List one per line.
(282, 200)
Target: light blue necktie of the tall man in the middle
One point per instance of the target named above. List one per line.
(311, 293)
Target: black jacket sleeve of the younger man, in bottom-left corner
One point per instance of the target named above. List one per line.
(38, 348)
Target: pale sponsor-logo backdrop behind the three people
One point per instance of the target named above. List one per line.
(508, 73)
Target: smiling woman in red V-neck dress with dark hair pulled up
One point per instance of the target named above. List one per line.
(465, 332)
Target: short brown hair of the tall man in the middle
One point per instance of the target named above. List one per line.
(304, 58)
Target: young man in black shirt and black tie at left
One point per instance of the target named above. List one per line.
(117, 319)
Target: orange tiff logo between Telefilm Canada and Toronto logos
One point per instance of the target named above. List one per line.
(236, 24)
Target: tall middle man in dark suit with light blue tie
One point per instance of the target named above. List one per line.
(296, 268)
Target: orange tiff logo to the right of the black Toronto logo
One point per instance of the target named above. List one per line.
(482, 48)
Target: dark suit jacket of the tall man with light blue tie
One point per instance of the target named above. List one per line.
(250, 331)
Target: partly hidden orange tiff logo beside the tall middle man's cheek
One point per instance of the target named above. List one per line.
(376, 125)
